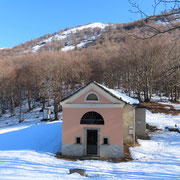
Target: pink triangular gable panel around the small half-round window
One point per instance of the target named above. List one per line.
(80, 100)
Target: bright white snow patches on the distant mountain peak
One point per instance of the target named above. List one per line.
(67, 33)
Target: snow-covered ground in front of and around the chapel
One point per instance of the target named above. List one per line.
(28, 153)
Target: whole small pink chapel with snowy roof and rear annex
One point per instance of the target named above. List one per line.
(98, 121)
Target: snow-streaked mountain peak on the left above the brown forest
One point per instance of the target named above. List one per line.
(68, 39)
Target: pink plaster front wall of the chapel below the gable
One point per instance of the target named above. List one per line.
(112, 127)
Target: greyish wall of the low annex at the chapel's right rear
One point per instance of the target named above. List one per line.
(140, 122)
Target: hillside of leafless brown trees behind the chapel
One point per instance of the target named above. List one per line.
(118, 59)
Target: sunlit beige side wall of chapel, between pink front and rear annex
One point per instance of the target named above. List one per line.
(128, 120)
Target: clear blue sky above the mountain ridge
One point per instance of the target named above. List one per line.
(23, 20)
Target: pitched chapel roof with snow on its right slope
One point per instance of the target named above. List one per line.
(112, 92)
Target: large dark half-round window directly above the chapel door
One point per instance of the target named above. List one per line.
(92, 118)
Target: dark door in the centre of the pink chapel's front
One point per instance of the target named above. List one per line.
(92, 142)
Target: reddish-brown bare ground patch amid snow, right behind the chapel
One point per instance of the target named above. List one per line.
(161, 108)
